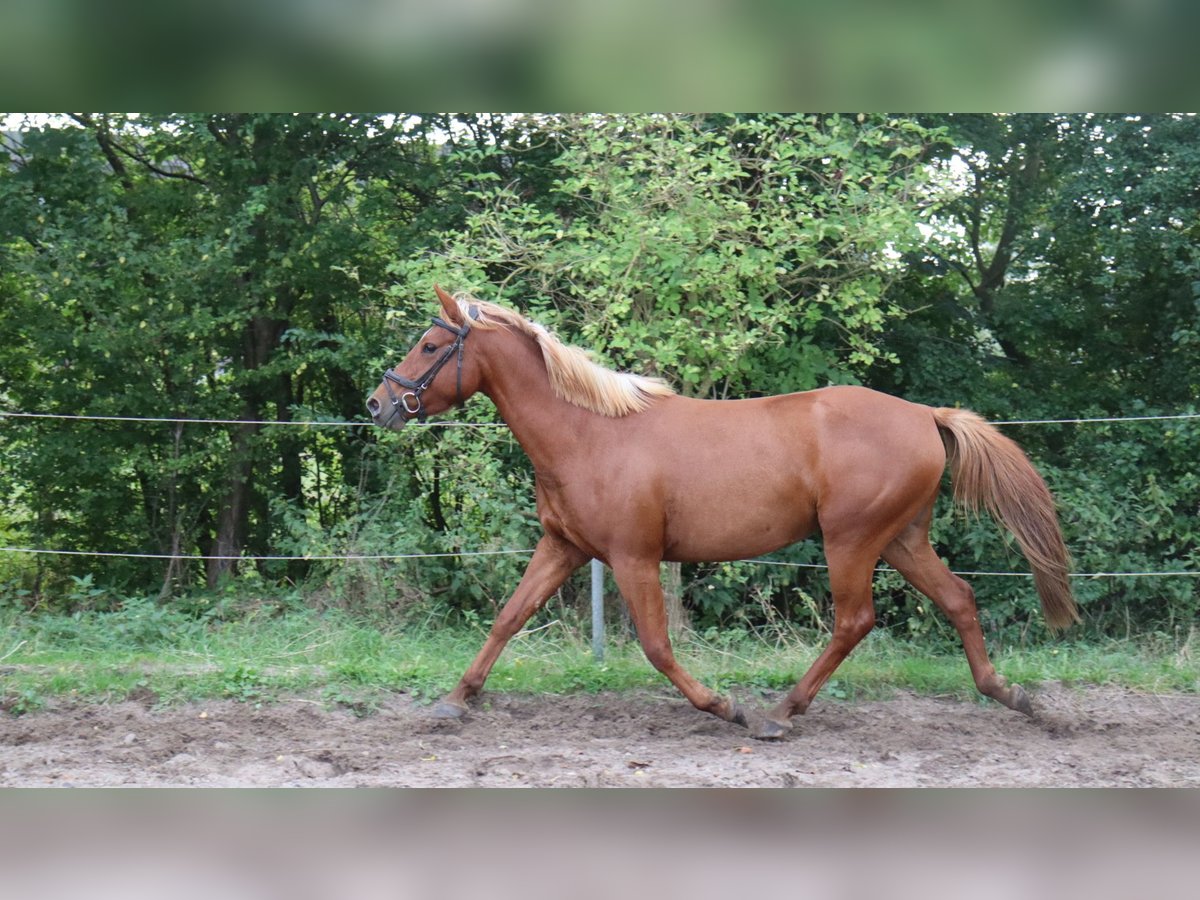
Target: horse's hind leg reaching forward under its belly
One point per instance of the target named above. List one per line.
(851, 572)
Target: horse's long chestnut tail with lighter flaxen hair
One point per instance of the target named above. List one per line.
(991, 470)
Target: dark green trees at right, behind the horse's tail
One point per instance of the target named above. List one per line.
(1060, 283)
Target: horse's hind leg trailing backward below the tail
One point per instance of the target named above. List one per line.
(913, 556)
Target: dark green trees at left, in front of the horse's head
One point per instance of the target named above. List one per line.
(200, 267)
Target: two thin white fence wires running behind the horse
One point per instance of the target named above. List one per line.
(381, 557)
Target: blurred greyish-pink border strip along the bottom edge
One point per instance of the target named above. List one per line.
(597, 844)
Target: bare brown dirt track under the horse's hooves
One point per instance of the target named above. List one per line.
(1082, 737)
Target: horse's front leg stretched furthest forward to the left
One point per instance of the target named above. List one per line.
(553, 562)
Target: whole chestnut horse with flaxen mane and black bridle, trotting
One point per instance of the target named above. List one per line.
(633, 475)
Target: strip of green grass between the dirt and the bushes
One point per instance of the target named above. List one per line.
(263, 657)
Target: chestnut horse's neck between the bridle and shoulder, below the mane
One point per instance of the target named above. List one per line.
(544, 424)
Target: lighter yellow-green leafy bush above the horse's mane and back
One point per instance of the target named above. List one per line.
(715, 250)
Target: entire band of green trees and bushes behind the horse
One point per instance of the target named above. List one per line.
(269, 267)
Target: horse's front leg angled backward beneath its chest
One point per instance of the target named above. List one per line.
(641, 586)
